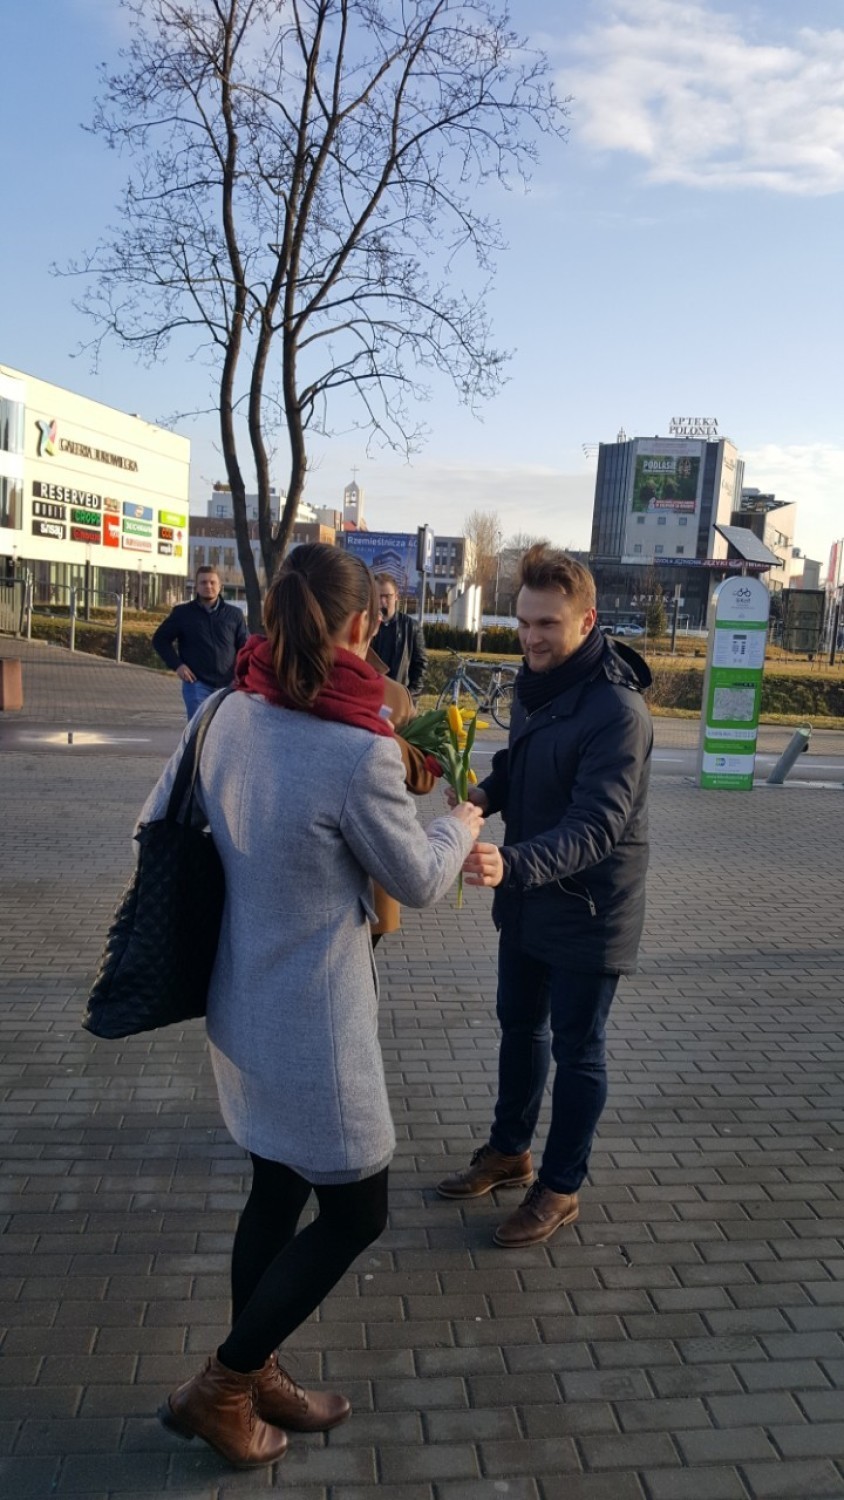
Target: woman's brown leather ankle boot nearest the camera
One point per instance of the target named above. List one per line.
(220, 1406)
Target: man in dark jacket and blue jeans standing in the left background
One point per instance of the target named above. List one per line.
(209, 635)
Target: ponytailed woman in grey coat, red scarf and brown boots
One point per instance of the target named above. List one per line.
(304, 788)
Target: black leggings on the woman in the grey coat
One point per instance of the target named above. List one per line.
(278, 1277)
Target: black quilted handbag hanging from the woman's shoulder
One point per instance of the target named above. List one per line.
(164, 937)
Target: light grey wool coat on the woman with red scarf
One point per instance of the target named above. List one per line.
(305, 812)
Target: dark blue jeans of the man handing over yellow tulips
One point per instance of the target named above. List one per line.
(546, 1012)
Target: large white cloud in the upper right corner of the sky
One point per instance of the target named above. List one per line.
(702, 103)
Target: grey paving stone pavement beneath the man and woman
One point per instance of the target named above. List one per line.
(683, 1342)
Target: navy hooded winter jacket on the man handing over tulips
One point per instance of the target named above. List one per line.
(572, 788)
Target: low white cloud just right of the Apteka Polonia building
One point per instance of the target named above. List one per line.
(810, 475)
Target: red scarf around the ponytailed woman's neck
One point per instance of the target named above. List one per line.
(353, 695)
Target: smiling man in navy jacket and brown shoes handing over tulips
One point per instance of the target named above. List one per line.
(569, 889)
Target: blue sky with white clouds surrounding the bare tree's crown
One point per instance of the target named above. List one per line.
(681, 254)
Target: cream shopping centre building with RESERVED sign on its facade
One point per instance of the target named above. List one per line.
(91, 497)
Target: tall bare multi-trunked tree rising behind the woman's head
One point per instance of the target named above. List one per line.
(305, 175)
